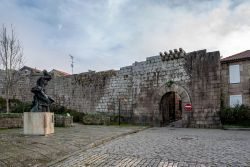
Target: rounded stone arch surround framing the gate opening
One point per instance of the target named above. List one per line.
(181, 91)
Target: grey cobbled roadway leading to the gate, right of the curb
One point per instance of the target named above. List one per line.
(170, 148)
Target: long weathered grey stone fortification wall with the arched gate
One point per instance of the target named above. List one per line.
(194, 76)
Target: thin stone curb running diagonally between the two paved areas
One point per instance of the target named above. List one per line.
(95, 144)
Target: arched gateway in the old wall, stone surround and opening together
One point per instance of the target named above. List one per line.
(170, 102)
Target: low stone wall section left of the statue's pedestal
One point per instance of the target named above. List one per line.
(11, 120)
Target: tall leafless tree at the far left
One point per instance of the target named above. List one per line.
(11, 57)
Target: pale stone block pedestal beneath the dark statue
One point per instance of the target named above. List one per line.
(38, 123)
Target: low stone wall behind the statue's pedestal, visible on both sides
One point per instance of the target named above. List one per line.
(15, 120)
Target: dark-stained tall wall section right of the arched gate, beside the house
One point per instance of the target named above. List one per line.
(204, 70)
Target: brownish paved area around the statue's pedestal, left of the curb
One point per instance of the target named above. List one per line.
(17, 149)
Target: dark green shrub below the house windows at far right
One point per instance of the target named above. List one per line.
(240, 114)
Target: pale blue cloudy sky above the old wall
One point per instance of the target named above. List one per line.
(109, 34)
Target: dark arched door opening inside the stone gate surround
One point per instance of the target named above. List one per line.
(171, 108)
